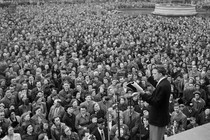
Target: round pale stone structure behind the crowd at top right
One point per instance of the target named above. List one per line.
(174, 10)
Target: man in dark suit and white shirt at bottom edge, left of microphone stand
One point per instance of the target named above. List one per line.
(101, 132)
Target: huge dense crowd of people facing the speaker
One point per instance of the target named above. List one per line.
(64, 71)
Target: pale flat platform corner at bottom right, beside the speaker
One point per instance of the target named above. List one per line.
(199, 133)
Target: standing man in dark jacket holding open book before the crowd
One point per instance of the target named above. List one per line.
(159, 102)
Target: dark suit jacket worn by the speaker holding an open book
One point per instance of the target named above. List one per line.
(159, 103)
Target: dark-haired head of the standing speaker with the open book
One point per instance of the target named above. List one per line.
(158, 72)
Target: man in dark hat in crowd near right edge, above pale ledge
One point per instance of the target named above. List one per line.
(198, 102)
